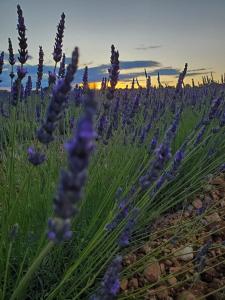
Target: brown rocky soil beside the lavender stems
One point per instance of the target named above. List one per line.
(184, 257)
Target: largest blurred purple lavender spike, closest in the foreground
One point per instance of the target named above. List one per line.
(72, 181)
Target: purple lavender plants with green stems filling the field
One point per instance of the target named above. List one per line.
(154, 148)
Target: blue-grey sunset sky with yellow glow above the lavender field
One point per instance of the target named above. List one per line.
(159, 35)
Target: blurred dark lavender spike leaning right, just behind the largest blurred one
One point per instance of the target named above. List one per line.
(58, 101)
